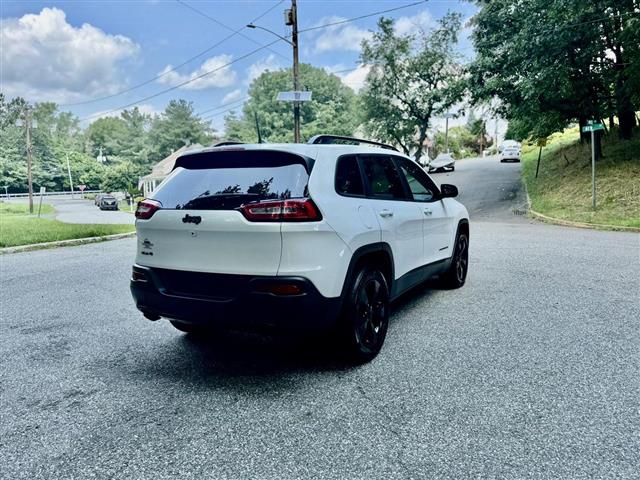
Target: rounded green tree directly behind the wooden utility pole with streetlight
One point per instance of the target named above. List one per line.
(333, 108)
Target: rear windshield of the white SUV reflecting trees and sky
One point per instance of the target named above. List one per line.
(227, 180)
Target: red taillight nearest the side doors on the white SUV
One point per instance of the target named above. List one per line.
(298, 210)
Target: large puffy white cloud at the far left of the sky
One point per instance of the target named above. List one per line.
(43, 58)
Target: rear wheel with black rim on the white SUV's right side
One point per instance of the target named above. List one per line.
(365, 317)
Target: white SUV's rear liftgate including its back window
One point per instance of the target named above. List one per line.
(199, 228)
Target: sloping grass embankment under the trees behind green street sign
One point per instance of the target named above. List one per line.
(563, 187)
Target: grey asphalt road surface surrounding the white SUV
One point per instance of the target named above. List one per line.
(532, 370)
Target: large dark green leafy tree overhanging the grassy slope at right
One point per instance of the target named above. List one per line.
(555, 62)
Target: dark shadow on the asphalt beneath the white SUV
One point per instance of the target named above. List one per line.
(253, 362)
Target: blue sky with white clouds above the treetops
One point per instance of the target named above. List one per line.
(76, 53)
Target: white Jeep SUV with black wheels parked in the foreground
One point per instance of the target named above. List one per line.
(295, 236)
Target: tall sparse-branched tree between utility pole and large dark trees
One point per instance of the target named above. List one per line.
(410, 81)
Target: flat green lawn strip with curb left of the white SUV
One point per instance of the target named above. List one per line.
(17, 227)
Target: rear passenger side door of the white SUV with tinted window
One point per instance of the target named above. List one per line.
(400, 219)
